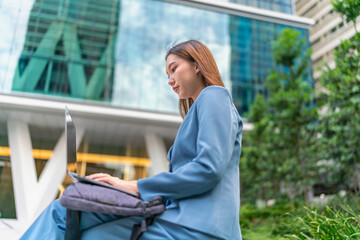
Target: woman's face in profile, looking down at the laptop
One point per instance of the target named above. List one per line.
(184, 77)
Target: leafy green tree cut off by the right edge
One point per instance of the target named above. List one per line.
(341, 100)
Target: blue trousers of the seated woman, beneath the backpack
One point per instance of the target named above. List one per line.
(52, 221)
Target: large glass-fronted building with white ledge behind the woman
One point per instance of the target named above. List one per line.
(107, 57)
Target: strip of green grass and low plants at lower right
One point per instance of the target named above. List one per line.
(339, 219)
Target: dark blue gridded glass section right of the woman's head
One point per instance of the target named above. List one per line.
(251, 58)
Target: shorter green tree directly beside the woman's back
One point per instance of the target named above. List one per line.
(257, 175)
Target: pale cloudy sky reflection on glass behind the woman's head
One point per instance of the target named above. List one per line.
(147, 28)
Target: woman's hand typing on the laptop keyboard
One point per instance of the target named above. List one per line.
(115, 181)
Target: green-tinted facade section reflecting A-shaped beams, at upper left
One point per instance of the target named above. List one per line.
(68, 50)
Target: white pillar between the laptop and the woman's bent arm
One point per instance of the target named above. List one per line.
(157, 152)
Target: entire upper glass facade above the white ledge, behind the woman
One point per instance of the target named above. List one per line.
(117, 57)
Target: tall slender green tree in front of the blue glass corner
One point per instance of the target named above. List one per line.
(292, 115)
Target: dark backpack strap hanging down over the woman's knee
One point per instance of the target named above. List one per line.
(72, 230)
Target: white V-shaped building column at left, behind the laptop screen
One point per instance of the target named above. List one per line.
(32, 196)
